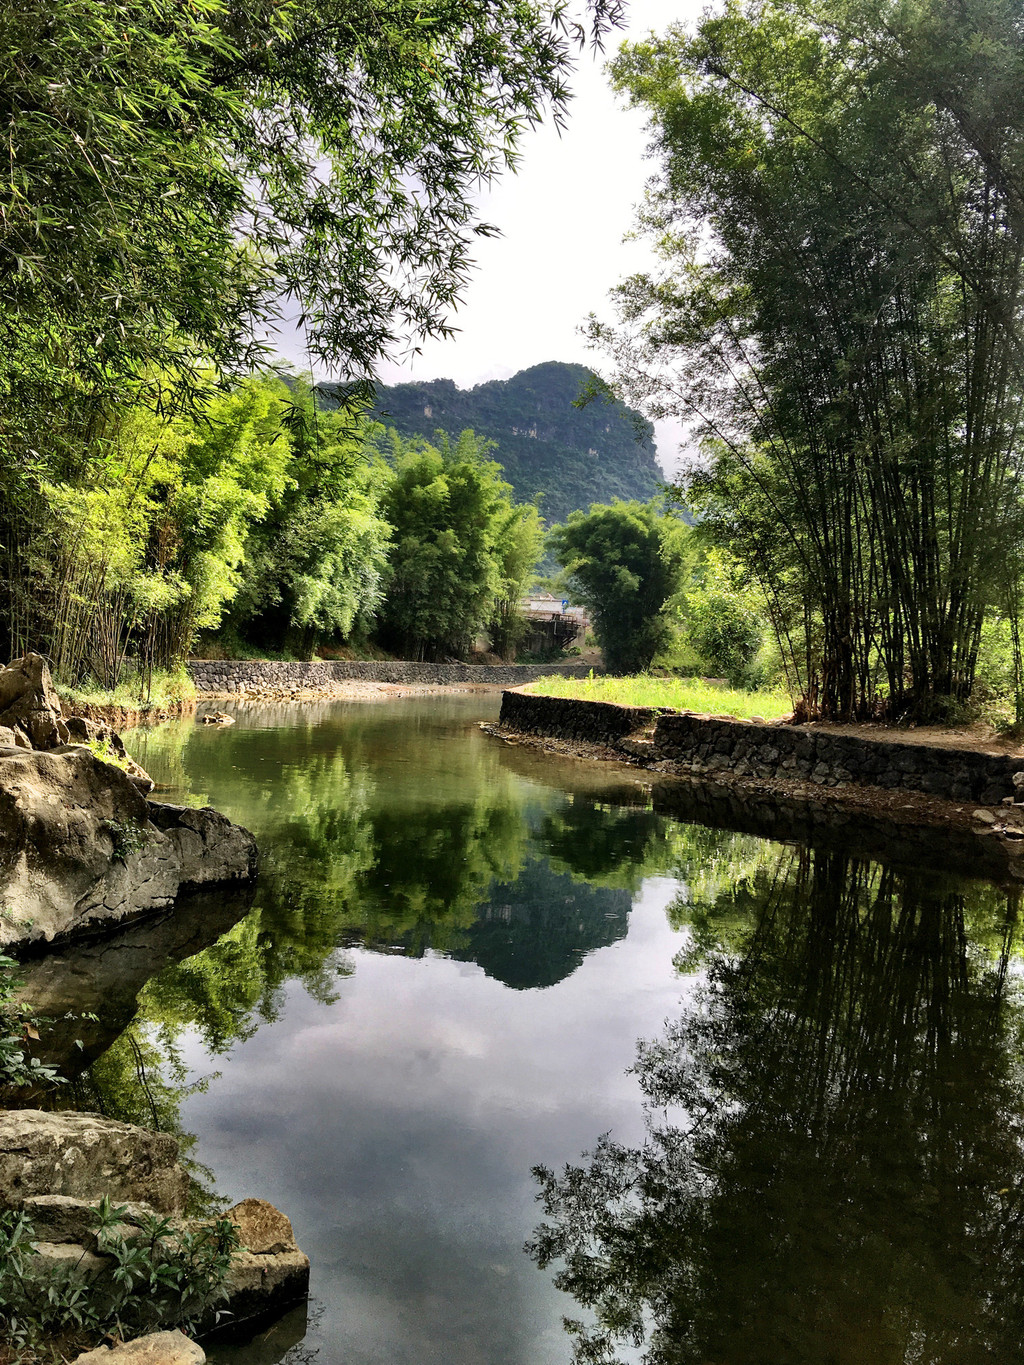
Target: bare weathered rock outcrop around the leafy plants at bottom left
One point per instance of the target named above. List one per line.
(57, 1168)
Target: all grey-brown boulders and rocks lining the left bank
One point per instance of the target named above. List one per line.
(94, 1226)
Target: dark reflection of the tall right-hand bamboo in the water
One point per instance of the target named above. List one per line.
(834, 1170)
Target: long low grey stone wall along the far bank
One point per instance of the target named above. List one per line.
(240, 675)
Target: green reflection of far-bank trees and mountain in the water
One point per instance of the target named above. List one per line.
(378, 831)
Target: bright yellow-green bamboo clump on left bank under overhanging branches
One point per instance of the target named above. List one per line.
(147, 551)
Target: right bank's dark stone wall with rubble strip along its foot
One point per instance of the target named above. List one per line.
(883, 780)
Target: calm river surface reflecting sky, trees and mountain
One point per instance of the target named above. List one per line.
(454, 952)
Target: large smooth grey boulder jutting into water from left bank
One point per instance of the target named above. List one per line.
(81, 850)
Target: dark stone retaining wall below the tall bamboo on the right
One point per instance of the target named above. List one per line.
(711, 747)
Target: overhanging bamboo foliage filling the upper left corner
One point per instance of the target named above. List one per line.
(180, 174)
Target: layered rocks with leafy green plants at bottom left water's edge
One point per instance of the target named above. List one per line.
(69, 1175)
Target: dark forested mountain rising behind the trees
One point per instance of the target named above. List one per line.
(571, 457)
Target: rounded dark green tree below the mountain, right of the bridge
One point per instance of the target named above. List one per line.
(623, 563)
